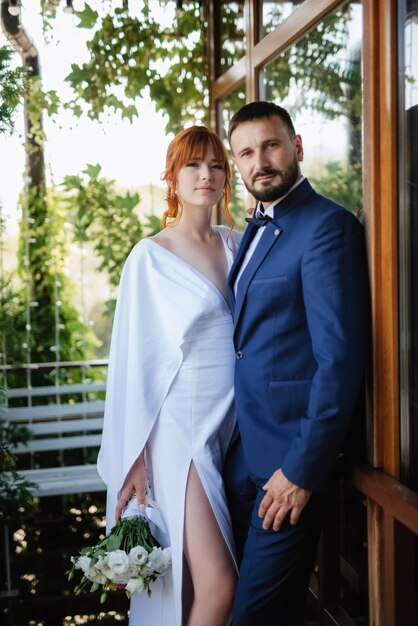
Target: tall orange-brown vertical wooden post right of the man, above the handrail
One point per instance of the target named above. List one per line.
(381, 222)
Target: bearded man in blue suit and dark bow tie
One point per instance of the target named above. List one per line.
(299, 295)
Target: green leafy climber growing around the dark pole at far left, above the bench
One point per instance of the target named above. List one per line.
(38, 311)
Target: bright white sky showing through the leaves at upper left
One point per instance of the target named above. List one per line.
(131, 154)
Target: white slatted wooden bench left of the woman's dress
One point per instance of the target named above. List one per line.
(59, 423)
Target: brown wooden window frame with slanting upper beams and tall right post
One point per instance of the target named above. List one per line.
(387, 534)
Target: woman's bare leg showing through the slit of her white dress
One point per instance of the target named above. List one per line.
(210, 563)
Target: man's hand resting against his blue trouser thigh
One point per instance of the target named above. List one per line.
(282, 497)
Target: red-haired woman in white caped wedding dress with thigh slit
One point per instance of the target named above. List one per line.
(169, 401)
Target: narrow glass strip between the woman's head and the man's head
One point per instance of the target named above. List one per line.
(239, 200)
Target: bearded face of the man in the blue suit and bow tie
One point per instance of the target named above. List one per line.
(267, 157)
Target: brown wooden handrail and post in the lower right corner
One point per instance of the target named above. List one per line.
(392, 531)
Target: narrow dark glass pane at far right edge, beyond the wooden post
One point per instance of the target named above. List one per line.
(409, 216)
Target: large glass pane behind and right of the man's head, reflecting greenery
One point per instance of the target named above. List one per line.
(318, 80)
